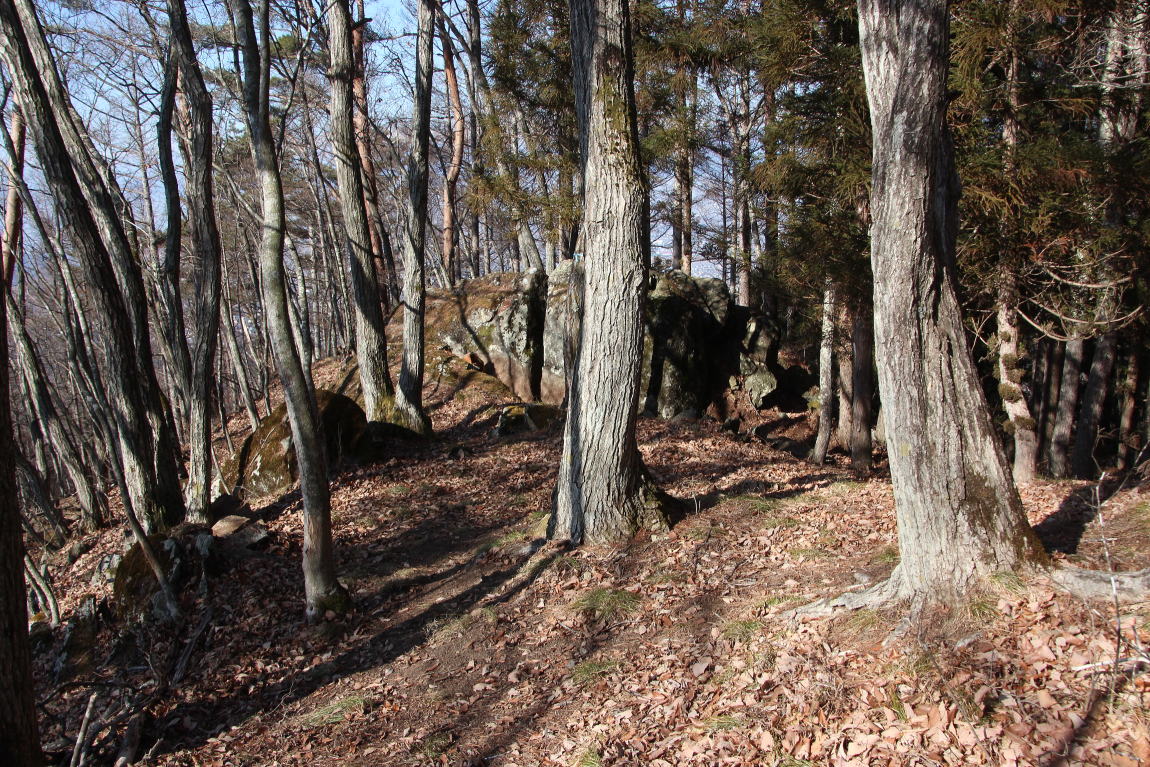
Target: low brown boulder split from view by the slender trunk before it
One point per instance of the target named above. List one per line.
(266, 464)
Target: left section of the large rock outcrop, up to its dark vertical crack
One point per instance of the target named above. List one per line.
(496, 320)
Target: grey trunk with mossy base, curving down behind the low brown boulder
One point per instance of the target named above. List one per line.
(371, 331)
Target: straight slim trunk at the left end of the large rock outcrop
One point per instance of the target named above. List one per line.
(410, 396)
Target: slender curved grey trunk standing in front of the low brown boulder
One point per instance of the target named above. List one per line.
(323, 590)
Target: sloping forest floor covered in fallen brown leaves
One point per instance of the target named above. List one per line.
(474, 643)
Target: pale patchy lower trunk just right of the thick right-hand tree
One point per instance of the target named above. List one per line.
(1010, 377)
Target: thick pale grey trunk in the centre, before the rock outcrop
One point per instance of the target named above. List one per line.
(603, 494)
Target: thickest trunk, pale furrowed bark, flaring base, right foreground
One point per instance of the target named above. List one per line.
(960, 517)
